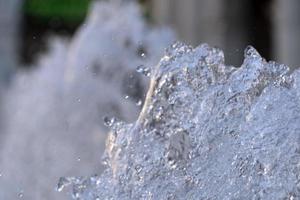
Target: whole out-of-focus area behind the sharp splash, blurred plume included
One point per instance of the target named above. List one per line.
(68, 65)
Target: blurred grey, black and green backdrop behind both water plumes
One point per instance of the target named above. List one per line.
(272, 26)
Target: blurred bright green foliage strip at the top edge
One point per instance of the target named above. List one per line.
(70, 11)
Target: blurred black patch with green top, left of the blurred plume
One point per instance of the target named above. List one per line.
(45, 17)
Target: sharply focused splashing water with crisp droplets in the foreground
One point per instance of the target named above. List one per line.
(207, 131)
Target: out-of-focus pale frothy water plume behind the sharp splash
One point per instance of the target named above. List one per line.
(54, 113)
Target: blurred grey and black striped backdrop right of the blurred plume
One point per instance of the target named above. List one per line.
(271, 26)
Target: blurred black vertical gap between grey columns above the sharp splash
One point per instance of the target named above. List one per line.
(247, 22)
